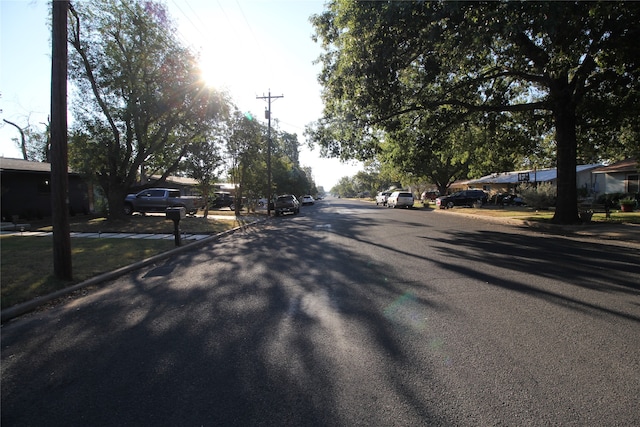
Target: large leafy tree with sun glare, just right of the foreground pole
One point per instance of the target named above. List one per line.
(140, 102)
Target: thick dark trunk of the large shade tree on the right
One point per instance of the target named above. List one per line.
(564, 116)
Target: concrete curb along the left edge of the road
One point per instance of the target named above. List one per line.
(26, 307)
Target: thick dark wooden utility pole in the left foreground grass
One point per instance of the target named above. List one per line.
(59, 159)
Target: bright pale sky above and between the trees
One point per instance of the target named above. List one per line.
(248, 48)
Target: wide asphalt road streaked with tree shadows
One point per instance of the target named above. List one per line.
(347, 314)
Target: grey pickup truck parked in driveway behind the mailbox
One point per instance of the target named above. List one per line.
(158, 200)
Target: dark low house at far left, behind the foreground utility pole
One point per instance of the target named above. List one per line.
(26, 190)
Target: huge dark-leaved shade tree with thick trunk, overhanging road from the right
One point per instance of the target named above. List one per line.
(385, 60)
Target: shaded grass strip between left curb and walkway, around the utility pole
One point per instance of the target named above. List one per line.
(26, 265)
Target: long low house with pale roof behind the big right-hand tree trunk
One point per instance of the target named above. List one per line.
(508, 182)
